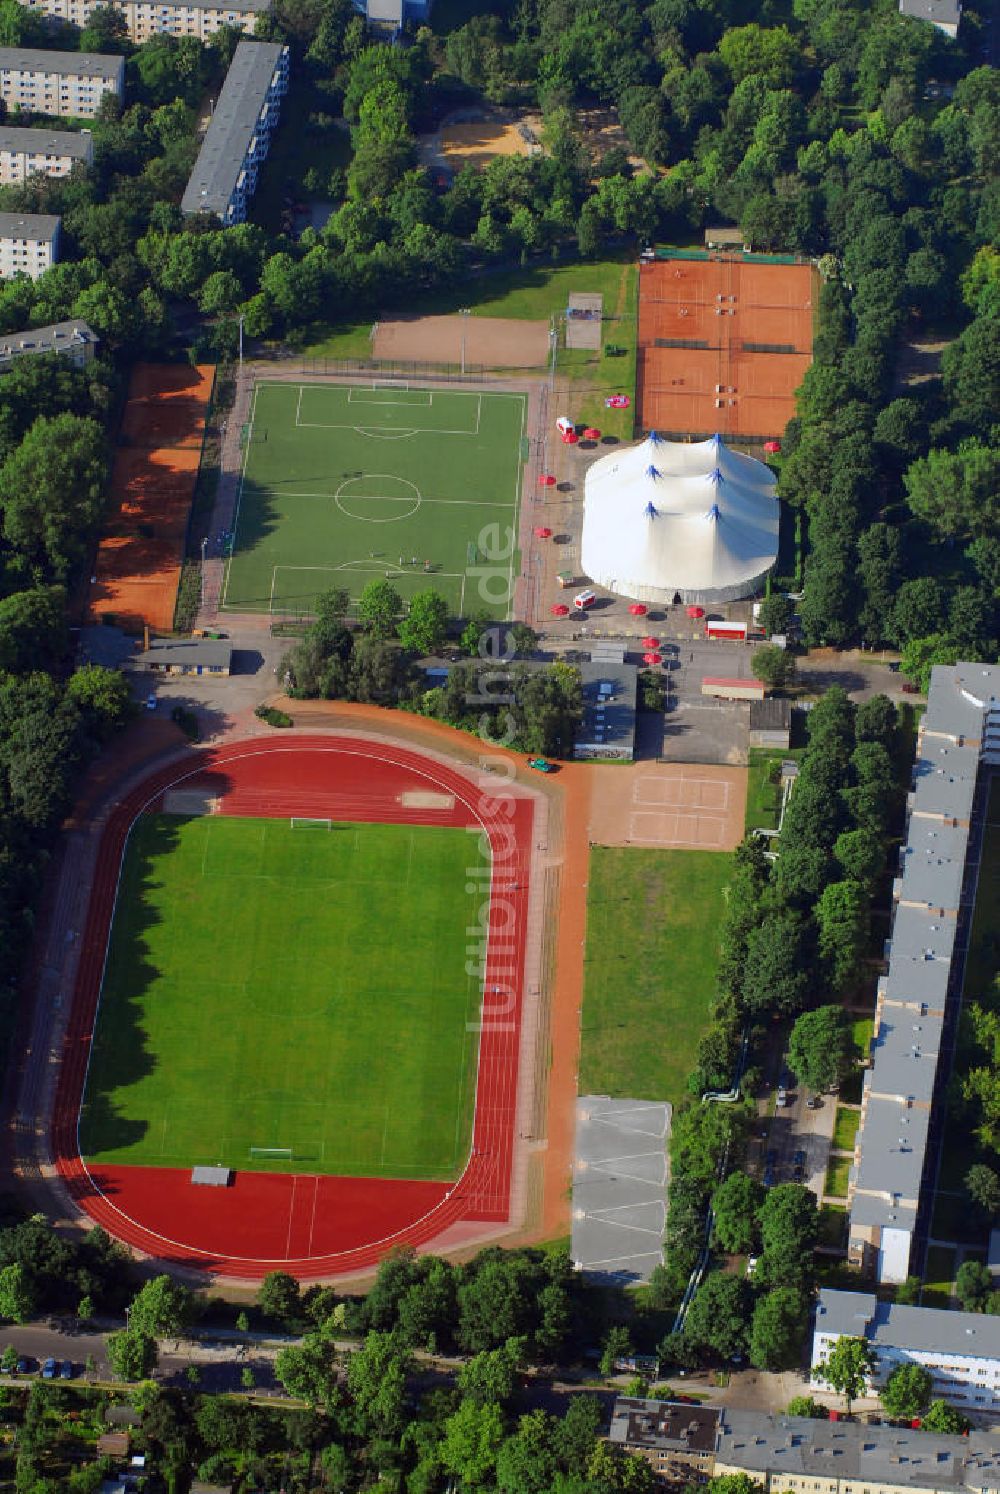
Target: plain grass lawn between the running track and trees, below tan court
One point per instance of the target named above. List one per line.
(651, 963)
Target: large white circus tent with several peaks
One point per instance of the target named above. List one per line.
(673, 518)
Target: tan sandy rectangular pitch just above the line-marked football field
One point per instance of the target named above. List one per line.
(494, 343)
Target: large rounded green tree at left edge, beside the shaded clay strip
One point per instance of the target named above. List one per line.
(52, 494)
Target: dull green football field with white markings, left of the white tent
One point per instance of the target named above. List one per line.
(343, 485)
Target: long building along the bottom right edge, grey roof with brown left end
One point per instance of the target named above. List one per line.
(802, 1456)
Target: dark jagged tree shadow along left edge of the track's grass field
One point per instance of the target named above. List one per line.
(120, 1056)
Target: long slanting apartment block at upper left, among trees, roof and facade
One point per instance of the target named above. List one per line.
(238, 140)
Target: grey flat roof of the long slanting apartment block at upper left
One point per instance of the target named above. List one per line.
(234, 123)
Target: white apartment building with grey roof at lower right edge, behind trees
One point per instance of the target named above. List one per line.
(962, 1350)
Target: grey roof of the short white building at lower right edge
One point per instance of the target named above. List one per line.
(916, 1330)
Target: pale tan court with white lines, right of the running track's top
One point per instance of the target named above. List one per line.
(670, 806)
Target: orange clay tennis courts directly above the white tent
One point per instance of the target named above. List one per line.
(727, 306)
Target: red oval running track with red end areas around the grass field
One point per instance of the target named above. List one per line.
(312, 1226)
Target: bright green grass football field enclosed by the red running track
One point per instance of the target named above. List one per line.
(255, 1014)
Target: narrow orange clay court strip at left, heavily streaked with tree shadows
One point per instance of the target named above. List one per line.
(152, 489)
